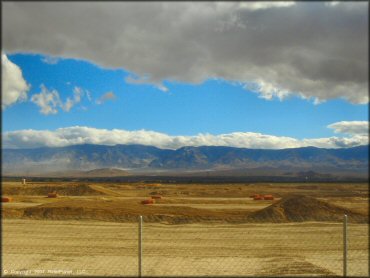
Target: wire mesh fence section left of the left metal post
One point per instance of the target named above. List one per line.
(69, 248)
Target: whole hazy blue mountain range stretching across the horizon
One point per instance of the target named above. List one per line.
(128, 158)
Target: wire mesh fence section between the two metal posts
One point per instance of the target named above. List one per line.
(246, 250)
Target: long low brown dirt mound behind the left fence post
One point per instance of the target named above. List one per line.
(122, 210)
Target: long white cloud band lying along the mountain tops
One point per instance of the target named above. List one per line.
(88, 135)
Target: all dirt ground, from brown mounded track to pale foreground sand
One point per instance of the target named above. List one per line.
(194, 229)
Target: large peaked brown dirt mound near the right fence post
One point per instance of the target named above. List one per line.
(302, 208)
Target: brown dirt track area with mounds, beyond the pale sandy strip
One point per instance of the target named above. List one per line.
(187, 203)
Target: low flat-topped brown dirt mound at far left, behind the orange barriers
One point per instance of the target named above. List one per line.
(64, 190)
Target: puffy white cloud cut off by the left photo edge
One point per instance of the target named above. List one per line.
(14, 87)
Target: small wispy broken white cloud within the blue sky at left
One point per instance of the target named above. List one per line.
(49, 100)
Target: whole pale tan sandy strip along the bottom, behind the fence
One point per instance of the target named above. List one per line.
(47, 247)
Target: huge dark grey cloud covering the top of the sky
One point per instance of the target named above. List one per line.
(315, 50)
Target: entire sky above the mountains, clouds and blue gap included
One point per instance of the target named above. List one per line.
(256, 75)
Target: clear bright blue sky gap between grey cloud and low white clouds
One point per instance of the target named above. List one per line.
(214, 106)
